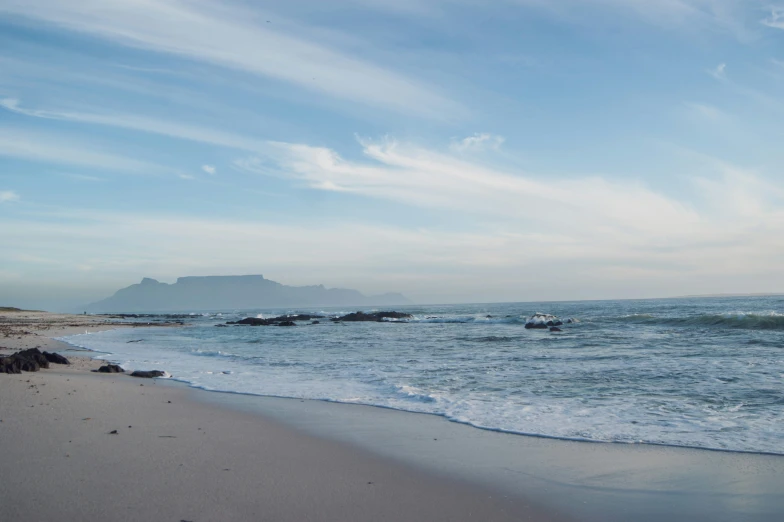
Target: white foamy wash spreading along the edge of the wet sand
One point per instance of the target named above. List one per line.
(501, 414)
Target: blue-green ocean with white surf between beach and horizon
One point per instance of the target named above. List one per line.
(696, 372)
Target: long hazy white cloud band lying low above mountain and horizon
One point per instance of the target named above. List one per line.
(506, 260)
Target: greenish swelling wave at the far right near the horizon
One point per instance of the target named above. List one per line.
(769, 320)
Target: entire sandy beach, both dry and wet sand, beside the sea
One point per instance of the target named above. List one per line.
(185, 454)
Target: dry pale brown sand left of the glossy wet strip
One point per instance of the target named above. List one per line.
(175, 458)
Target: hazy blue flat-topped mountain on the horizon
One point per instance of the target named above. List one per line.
(232, 292)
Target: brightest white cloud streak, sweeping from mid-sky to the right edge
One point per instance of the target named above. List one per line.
(610, 213)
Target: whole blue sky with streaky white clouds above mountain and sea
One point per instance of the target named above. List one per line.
(451, 150)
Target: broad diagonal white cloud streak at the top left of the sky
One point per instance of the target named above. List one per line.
(235, 38)
